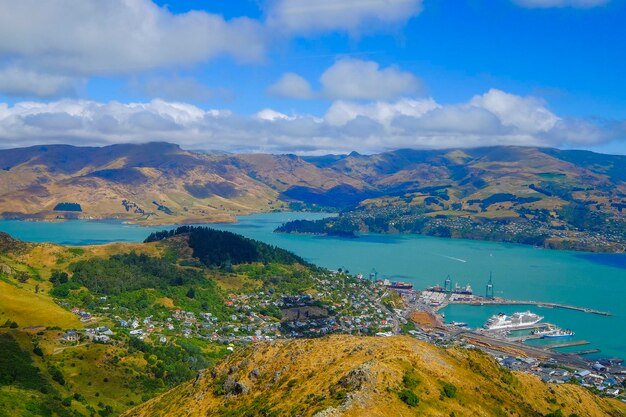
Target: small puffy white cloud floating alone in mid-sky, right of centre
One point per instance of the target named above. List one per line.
(350, 79)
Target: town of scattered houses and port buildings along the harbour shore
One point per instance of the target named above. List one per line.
(341, 303)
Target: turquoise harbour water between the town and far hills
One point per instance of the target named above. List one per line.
(519, 272)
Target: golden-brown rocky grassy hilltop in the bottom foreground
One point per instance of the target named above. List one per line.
(352, 376)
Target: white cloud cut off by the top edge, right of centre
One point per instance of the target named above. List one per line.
(353, 16)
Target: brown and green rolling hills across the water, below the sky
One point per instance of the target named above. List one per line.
(555, 192)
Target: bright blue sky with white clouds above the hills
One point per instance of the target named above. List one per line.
(314, 77)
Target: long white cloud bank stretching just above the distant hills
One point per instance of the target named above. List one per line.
(494, 118)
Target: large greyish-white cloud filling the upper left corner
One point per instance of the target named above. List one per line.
(62, 40)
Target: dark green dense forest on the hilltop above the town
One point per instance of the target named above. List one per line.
(217, 248)
